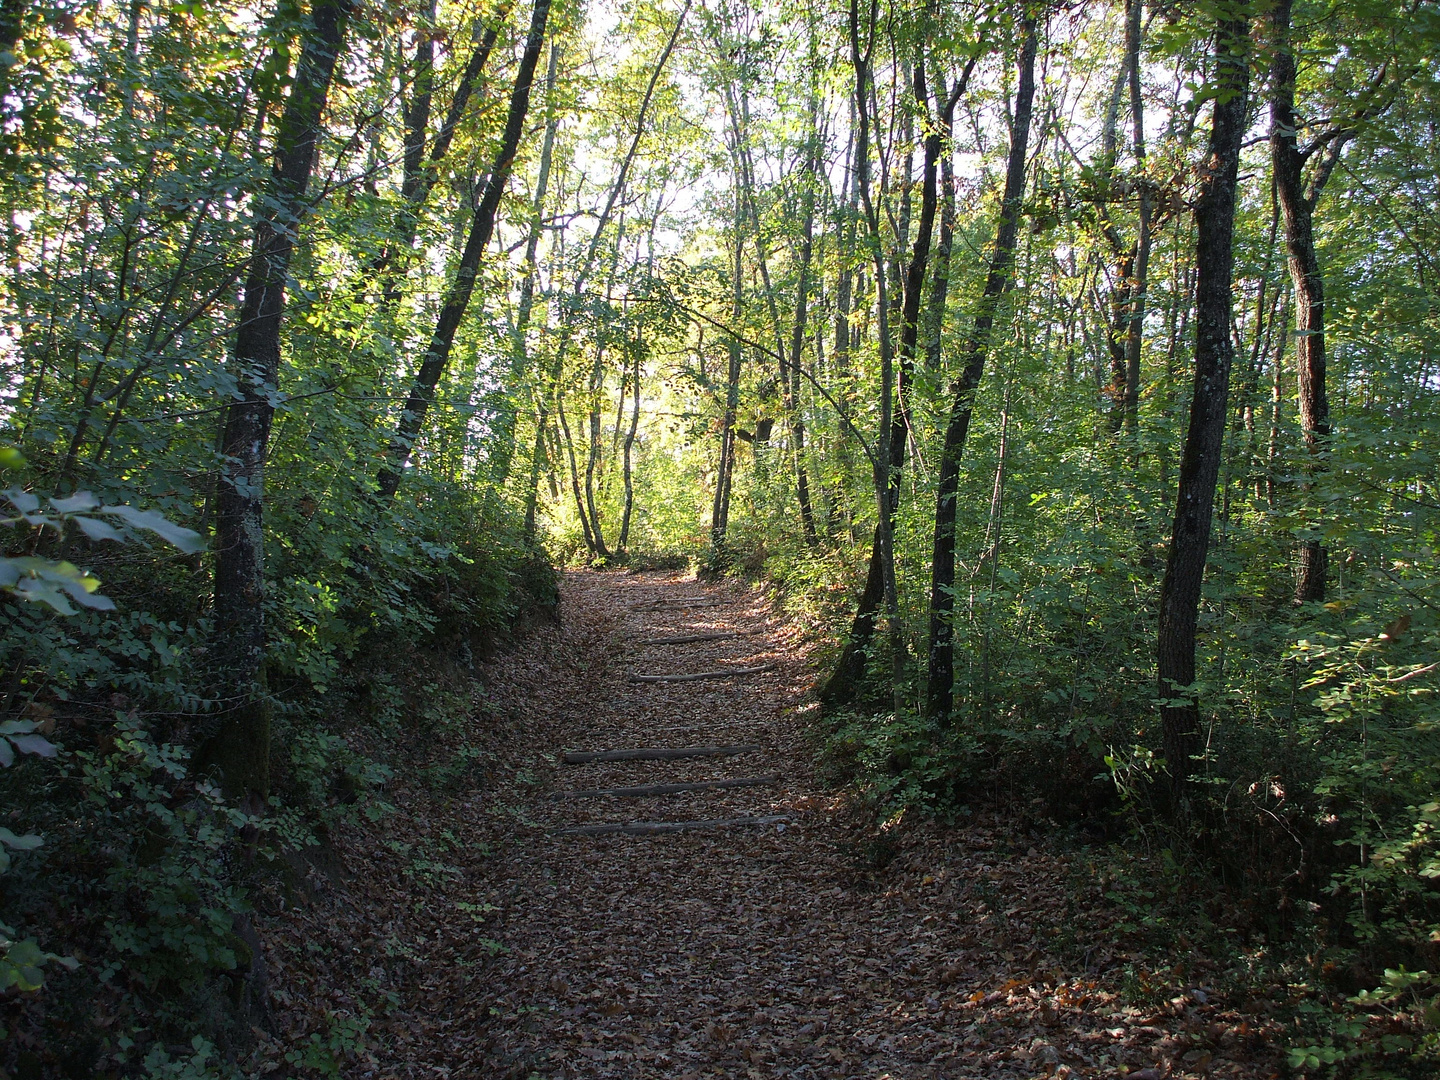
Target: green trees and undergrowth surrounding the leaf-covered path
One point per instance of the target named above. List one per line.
(1071, 368)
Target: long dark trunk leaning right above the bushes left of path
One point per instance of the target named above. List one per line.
(482, 228)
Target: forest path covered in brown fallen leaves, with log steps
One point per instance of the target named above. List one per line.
(466, 935)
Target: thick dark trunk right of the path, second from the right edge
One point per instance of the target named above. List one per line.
(1200, 460)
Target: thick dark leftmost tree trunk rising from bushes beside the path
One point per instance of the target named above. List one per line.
(240, 750)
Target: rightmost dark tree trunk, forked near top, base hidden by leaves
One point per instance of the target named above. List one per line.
(1298, 207)
